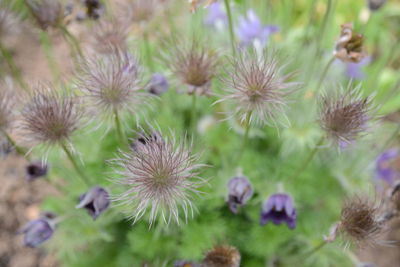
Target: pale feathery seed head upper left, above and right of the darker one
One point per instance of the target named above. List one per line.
(112, 83)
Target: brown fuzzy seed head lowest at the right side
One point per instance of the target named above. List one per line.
(359, 221)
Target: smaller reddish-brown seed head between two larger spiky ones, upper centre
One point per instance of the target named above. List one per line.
(195, 66)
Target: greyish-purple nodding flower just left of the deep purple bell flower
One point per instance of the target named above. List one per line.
(240, 191)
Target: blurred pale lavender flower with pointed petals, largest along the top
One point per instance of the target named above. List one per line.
(251, 30)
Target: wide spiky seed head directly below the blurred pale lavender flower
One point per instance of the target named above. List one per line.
(255, 85)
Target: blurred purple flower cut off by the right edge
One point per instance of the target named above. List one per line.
(388, 166)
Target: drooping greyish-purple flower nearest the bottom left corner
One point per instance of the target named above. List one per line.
(36, 232)
